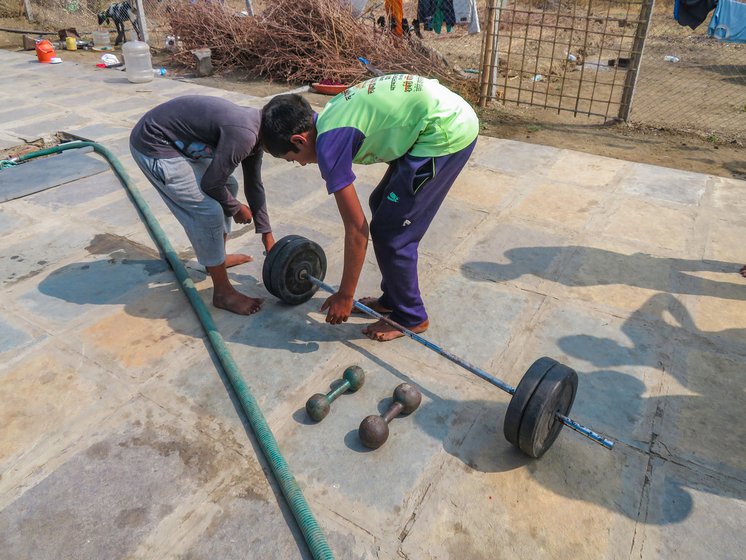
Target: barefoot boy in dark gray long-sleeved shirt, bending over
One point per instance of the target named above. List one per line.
(188, 149)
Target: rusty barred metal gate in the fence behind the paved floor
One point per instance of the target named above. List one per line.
(580, 56)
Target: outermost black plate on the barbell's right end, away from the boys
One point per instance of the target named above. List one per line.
(539, 425)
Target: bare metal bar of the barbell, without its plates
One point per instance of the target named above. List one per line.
(569, 422)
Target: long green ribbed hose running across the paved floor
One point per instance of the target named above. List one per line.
(315, 539)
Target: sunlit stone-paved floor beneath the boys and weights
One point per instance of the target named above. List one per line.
(120, 438)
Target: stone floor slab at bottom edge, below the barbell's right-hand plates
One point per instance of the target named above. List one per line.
(490, 500)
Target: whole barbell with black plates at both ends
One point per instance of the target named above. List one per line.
(294, 270)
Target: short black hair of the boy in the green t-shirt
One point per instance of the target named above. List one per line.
(284, 116)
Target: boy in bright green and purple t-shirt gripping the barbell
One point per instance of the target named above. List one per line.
(425, 132)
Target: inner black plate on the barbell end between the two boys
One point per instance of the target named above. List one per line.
(298, 255)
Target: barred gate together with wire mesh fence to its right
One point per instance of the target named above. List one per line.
(623, 59)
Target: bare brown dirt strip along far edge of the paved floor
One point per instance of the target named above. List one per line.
(654, 146)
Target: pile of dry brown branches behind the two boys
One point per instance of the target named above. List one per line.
(302, 41)
